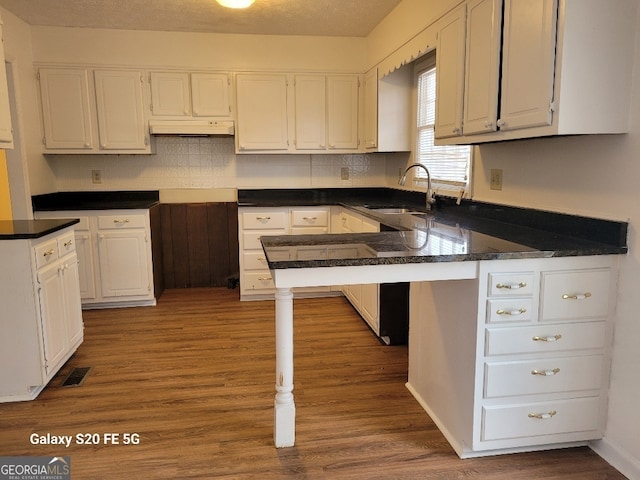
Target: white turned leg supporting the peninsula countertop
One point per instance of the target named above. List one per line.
(284, 432)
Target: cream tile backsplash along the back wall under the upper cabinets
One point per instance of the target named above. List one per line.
(210, 163)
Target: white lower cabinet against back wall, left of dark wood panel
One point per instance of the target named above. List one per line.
(115, 256)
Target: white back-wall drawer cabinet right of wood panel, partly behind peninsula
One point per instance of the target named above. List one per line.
(253, 222)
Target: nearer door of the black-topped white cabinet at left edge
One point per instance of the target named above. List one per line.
(54, 333)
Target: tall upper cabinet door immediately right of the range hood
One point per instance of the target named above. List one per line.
(262, 112)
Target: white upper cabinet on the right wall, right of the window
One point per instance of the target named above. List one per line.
(549, 67)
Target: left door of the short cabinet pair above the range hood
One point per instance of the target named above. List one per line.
(170, 93)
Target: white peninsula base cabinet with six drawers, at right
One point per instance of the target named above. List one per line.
(535, 375)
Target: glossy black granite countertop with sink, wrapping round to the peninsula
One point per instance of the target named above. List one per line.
(467, 232)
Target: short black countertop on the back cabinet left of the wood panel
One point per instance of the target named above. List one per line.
(108, 200)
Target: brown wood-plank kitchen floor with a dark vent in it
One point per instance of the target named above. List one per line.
(194, 378)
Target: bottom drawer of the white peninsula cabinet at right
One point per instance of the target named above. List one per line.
(543, 418)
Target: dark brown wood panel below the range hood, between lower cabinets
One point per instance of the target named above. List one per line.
(200, 244)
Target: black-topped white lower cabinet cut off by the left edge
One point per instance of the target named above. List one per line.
(42, 325)
